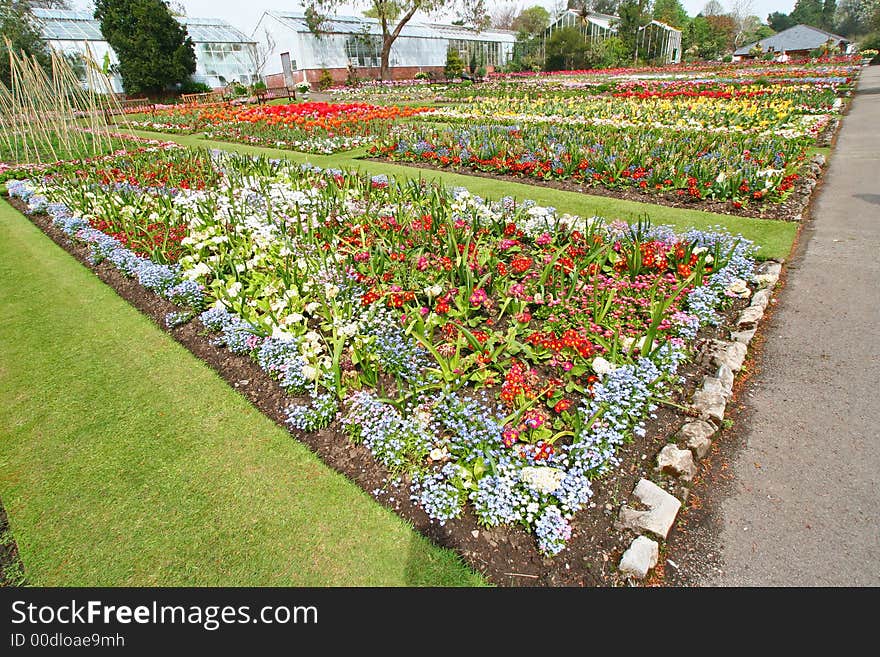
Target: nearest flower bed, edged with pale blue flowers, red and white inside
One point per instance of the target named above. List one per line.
(491, 356)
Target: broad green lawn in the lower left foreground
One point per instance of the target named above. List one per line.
(127, 461)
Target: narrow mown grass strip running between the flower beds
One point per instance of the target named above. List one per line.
(775, 238)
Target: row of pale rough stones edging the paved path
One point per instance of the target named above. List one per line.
(680, 459)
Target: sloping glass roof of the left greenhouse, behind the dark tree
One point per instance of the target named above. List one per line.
(62, 25)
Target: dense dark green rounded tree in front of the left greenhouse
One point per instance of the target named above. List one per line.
(153, 49)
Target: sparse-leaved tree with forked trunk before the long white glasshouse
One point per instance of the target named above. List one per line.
(393, 15)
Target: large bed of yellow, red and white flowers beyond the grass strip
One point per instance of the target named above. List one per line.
(738, 138)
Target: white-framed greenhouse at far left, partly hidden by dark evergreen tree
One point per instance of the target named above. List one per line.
(223, 53)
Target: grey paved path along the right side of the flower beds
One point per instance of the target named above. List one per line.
(802, 504)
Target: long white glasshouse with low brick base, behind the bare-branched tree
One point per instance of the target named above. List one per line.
(357, 42)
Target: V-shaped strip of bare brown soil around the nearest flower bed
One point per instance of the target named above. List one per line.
(506, 556)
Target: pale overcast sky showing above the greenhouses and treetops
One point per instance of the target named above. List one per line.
(245, 15)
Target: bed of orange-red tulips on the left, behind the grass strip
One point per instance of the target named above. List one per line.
(308, 127)
